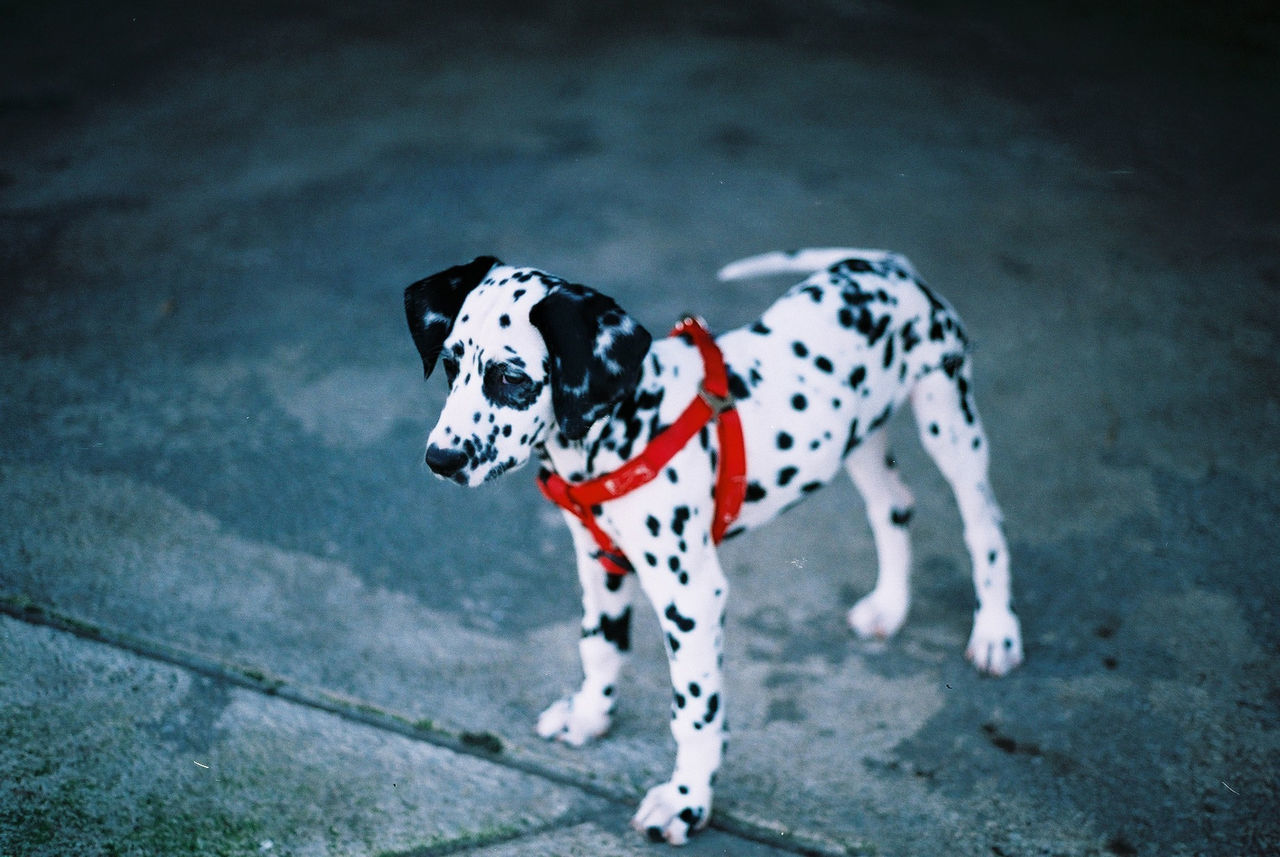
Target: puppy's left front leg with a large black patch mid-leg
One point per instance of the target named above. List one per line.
(604, 647)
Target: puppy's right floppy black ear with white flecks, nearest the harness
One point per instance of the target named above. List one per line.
(596, 351)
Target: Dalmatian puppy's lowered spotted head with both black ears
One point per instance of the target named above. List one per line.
(524, 355)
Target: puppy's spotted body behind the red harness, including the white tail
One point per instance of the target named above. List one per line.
(829, 364)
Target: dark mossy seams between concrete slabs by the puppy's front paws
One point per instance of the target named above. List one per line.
(483, 746)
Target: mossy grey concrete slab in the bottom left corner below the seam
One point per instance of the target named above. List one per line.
(107, 753)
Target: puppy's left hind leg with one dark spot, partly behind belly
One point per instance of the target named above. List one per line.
(889, 511)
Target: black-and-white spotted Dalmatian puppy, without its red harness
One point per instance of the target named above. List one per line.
(543, 369)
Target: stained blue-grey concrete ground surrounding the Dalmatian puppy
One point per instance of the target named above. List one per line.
(241, 618)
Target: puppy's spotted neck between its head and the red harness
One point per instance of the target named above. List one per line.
(669, 382)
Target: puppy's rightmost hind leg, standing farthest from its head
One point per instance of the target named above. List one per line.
(952, 433)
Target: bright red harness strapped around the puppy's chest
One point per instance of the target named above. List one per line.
(712, 405)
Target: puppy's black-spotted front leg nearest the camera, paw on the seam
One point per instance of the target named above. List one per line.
(689, 594)
